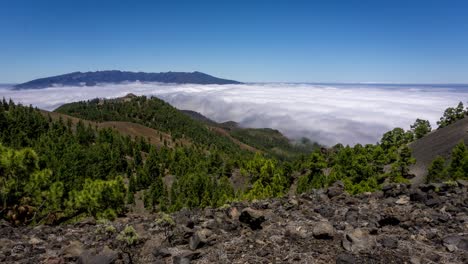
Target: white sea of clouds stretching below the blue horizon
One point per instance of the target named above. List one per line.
(326, 113)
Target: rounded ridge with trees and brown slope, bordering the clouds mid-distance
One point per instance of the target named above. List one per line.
(189, 125)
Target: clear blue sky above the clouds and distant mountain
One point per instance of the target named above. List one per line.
(316, 41)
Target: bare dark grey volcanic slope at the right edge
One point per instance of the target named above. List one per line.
(439, 142)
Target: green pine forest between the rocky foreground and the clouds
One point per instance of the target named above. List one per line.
(56, 170)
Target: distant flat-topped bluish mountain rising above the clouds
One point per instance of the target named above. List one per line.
(93, 78)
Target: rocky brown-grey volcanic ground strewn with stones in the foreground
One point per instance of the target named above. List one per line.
(428, 224)
